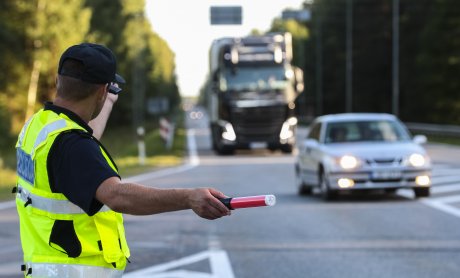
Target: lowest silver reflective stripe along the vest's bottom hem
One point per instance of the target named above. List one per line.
(71, 271)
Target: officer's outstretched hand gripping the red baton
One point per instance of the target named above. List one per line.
(204, 202)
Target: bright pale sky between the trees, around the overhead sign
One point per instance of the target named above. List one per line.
(185, 26)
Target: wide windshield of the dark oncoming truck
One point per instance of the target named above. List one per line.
(254, 78)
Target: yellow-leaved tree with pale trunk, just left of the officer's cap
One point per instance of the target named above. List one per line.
(54, 26)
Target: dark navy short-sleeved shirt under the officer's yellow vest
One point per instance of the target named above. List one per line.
(76, 166)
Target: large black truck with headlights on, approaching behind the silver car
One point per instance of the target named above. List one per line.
(251, 93)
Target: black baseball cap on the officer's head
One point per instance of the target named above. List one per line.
(99, 64)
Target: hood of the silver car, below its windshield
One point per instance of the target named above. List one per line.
(373, 149)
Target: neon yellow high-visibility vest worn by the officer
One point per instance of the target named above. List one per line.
(58, 238)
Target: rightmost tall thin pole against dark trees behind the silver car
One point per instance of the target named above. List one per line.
(395, 62)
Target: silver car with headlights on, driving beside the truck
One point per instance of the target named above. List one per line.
(356, 151)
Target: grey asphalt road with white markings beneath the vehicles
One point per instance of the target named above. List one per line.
(371, 235)
